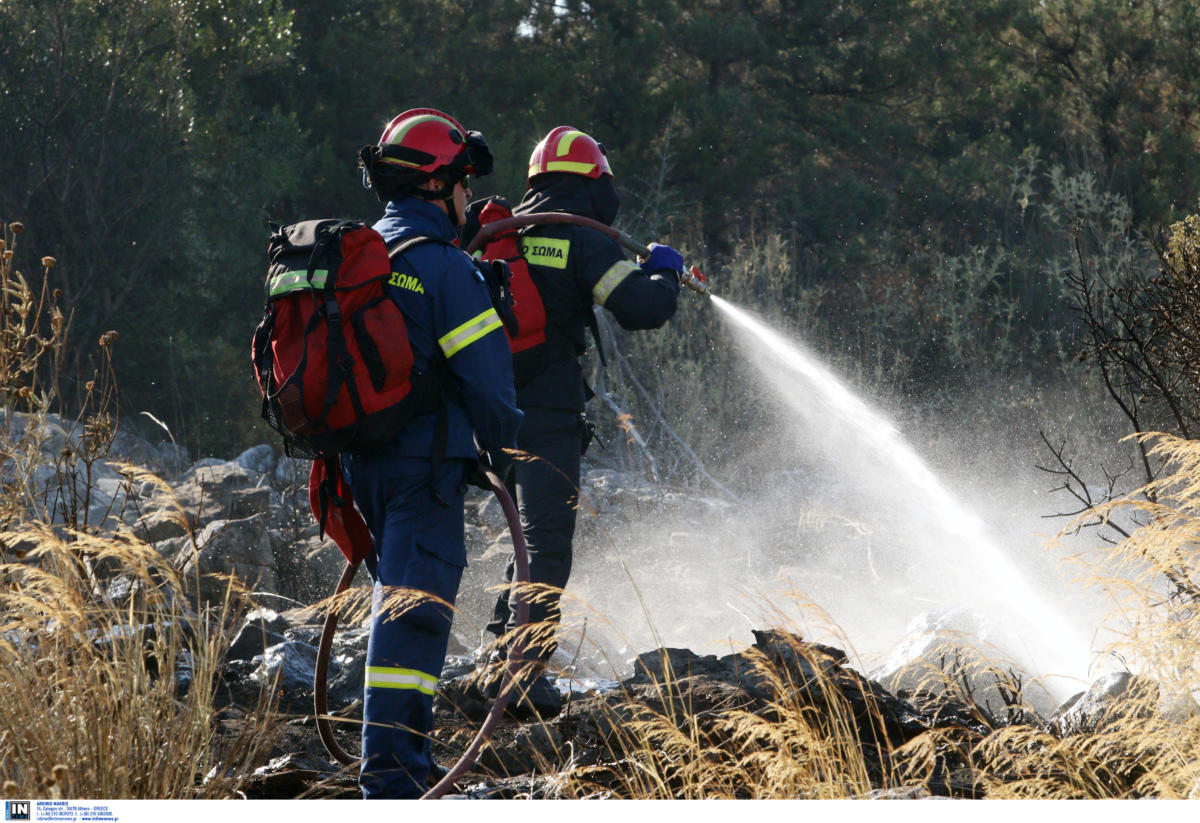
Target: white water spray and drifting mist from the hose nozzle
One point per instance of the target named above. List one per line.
(847, 534)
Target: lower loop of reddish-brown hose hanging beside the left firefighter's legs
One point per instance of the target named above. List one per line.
(521, 578)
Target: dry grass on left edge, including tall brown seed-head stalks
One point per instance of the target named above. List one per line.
(110, 672)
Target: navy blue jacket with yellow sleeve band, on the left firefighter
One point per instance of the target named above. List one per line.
(449, 315)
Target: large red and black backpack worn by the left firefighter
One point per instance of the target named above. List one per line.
(332, 356)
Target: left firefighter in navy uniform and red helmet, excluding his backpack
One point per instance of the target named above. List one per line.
(412, 491)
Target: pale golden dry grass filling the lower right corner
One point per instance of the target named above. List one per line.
(1149, 743)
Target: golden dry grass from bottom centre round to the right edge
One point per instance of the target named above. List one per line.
(813, 738)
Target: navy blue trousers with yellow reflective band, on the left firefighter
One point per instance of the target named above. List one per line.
(417, 566)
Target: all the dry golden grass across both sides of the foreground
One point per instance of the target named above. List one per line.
(110, 674)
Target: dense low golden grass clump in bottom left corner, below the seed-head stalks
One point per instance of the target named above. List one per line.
(112, 694)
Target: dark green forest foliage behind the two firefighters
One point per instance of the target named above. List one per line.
(146, 143)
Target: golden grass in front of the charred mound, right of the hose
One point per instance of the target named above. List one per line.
(667, 741)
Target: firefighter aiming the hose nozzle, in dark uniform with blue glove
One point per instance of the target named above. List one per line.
(574, 269)
